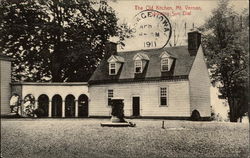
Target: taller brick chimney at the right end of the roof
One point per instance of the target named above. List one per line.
(194, 41)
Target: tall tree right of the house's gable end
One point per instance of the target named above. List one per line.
(225, 39)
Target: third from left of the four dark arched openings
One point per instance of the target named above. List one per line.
(70, 106)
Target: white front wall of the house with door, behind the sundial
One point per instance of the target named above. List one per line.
(178, 98)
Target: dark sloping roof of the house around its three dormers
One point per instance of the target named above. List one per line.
(181, 66)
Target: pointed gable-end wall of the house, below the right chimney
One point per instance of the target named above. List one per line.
(200, 86)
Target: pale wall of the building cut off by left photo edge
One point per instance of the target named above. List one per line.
(5, 75)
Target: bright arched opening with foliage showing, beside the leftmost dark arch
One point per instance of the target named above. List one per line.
(28, 105)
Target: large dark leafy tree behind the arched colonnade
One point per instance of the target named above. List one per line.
(58, 40)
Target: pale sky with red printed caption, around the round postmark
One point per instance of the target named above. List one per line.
(194, 13)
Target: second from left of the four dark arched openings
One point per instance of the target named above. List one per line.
(57, 106)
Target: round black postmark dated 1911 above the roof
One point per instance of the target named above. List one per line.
(152, 29)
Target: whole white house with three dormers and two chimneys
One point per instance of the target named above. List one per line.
(170, 82)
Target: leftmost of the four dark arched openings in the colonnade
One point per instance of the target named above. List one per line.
(43, 105)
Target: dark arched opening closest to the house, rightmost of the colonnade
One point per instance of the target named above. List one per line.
(83, 106)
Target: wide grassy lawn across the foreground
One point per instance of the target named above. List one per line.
(86, 138)
